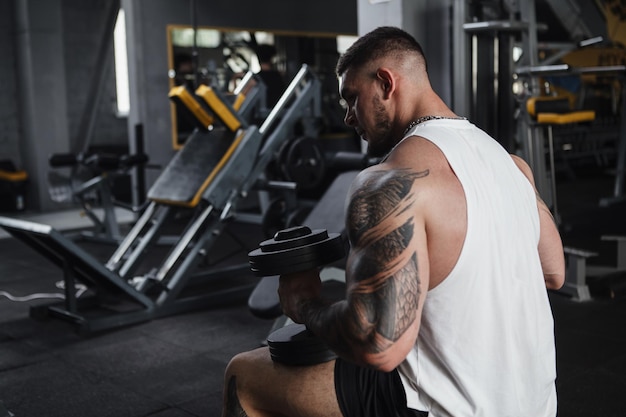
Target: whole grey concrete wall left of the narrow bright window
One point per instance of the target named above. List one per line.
(49, 50)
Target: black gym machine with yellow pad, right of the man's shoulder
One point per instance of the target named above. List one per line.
(537, 120)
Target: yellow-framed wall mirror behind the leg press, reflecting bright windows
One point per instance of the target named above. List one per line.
(222, 55)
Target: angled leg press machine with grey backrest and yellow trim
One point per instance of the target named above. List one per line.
(208, 177)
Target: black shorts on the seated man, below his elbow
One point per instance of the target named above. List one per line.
(364, 392)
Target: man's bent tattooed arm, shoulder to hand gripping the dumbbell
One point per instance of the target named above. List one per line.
(387, 274)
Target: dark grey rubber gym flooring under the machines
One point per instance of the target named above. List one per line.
(173, 366)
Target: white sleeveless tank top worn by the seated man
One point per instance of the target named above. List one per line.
(486, 342)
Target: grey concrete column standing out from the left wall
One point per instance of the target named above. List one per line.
(40, 100)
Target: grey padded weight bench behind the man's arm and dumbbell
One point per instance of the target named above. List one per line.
(327, 214)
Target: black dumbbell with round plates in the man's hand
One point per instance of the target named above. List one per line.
(292, 250)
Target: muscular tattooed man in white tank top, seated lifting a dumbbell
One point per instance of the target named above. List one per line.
(446, 311)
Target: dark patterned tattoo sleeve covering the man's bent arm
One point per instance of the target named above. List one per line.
(383, 274)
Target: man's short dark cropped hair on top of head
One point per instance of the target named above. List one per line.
(380, 42)
